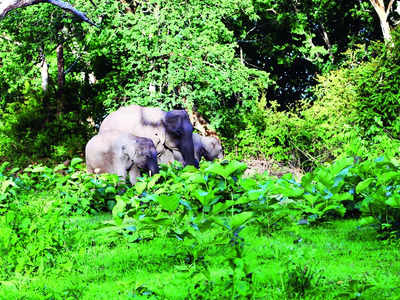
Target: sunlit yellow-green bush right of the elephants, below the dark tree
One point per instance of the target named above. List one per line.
(350, 115)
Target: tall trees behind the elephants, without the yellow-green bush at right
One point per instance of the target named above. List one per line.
(225, 59)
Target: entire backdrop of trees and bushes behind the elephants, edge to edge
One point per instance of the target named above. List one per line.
(237, 63)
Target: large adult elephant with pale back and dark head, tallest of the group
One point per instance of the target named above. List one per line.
(170, 130)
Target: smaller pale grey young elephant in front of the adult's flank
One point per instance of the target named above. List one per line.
(120, 153)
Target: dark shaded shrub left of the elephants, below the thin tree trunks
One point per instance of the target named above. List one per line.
(32, 130)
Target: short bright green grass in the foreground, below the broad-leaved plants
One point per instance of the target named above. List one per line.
(327, 261)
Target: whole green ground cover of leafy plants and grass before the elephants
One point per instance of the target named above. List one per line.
(212, 211)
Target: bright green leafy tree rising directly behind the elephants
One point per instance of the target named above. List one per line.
(171, 55)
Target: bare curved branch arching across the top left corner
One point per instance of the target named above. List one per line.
(8, 5)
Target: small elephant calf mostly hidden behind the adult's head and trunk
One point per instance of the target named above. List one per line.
(204, 146)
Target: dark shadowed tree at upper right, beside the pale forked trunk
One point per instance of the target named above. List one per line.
(295, 40)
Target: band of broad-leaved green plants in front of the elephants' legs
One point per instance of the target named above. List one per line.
(203, 209)
